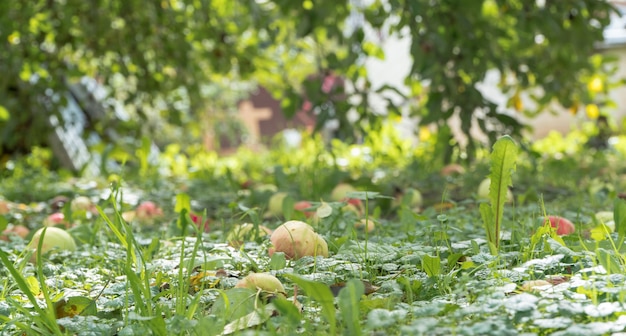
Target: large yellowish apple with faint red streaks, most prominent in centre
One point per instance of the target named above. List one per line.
(297, 239)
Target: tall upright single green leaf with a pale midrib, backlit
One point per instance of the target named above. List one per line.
(503, 159)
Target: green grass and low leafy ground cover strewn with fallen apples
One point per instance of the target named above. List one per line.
(381, 238)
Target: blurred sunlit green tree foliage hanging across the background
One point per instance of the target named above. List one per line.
(161, 58)
